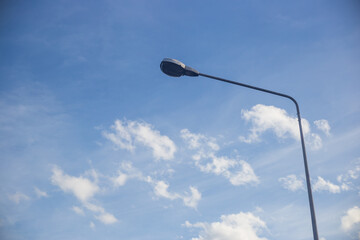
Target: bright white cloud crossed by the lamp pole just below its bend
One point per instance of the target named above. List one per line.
(264, 118)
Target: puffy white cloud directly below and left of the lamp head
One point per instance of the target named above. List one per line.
(127, 134)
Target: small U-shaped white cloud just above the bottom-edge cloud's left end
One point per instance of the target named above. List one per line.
(190, 200)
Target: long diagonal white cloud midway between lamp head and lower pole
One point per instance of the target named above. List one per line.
(238, 172)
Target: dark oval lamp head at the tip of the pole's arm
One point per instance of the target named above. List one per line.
(175, 68)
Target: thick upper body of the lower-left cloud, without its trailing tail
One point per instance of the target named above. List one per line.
(81, 187)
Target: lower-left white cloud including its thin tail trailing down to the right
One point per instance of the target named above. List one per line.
(84, 190)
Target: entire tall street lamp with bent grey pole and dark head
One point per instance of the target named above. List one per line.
(176, 68)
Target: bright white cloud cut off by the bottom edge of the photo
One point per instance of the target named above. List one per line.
(231, 227)
